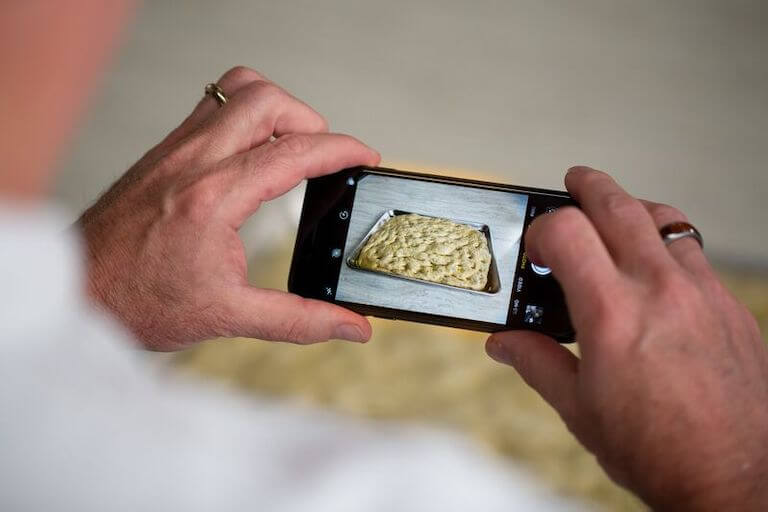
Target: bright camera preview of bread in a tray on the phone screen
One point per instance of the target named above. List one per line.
(432, 247)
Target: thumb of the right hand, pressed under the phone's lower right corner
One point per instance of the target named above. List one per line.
(547, 366)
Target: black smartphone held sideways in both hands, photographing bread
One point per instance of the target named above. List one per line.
(425, 248)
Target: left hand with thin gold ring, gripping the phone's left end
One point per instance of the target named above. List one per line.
(163, 250)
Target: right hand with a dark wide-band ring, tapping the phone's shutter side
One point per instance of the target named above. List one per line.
(671, 390)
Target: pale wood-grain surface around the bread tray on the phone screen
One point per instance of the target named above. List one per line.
(503, 212)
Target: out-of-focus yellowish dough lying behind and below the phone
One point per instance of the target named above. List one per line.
(425, 374)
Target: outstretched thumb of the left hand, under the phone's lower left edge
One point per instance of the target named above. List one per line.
(278, 316)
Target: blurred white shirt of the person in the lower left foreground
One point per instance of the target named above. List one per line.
(87, 423)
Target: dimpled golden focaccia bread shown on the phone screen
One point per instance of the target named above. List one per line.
(429, 248)
